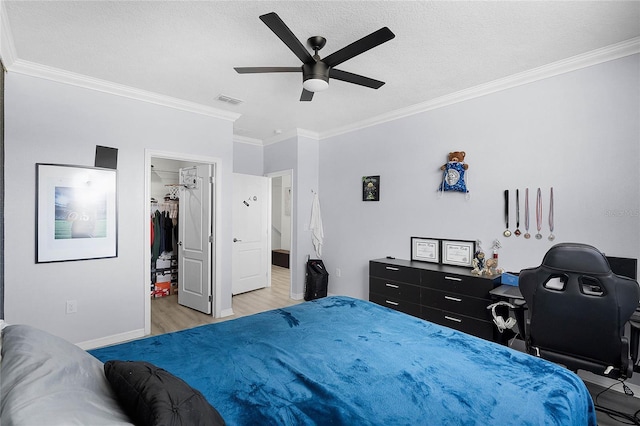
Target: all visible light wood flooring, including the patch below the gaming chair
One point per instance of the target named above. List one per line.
(167, 316)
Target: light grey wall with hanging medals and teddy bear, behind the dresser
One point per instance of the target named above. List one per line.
(577, 132)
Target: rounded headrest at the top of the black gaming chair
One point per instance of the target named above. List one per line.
(576, 257)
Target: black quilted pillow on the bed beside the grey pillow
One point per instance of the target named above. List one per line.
(153, 396)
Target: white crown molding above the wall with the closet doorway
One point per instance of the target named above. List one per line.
(66, 77)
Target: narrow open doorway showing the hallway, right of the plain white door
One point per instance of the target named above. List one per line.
(281, 225)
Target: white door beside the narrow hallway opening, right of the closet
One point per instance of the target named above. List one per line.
(250, 249)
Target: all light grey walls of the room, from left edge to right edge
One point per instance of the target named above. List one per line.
(577, 132)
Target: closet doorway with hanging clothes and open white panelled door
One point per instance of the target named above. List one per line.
(183, 270)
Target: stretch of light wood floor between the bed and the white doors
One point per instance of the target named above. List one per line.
(167, 315)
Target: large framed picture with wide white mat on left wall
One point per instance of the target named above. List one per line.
(76, 213)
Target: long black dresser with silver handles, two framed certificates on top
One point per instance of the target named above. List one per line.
(446, 295)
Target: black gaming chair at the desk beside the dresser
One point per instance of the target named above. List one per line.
(578, 309)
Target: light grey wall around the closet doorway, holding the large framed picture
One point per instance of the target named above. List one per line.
(51, 122)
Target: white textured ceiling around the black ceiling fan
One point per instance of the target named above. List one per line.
(187, 49)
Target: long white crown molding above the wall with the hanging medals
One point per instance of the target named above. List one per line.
(595, 57)
